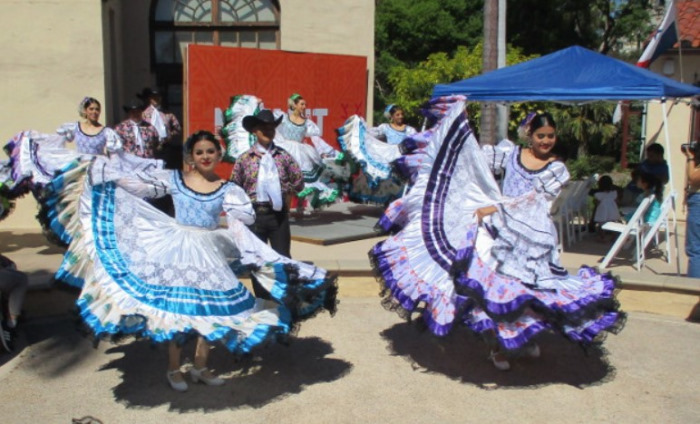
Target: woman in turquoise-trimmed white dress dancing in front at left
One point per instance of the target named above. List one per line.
(147, 274)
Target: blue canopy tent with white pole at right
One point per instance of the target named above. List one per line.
(574, 75)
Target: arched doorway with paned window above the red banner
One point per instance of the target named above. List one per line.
(233, 23)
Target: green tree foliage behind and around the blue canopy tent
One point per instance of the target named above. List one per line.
(420, 43)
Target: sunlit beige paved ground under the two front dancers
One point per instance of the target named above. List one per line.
(364, 365)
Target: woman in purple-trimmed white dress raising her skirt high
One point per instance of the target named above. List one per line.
(466, 253)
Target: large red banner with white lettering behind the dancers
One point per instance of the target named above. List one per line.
(334, 86)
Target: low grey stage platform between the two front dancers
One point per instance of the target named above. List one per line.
(338, 223)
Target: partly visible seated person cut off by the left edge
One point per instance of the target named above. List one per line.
(13, 287)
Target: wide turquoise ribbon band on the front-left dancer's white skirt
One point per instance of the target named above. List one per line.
(181, 300)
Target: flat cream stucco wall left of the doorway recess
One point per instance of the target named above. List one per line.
(52, 58)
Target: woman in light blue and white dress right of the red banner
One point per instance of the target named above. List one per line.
(375, 150)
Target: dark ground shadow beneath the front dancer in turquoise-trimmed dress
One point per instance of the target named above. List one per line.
(275, 372)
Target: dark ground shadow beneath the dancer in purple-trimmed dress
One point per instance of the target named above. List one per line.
(463, 356)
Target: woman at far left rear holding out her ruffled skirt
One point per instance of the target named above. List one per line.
(36, 159)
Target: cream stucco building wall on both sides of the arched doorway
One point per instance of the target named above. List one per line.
(55, 52)
